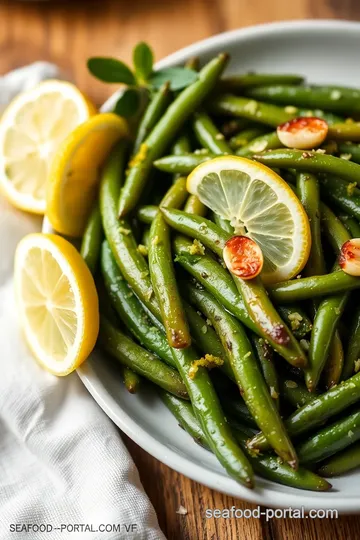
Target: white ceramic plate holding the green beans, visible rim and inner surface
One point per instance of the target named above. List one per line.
(325, 52)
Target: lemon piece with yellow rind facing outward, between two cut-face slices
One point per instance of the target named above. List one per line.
(74, 174)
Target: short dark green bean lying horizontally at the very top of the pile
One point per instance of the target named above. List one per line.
(235, 83)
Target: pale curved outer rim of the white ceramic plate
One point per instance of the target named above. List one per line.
(211, 479)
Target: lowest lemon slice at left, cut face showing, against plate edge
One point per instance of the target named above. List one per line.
(57, 302)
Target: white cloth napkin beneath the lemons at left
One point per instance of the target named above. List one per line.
(63, 465)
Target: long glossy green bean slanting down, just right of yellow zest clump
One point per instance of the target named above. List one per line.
(252, 385)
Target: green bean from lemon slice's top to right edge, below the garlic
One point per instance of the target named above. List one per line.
(310, 162)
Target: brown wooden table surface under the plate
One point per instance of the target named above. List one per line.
(68, 33)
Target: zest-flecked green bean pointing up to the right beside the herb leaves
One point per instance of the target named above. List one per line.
(165, 130)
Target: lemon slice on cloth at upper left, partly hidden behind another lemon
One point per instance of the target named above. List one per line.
(31, 129)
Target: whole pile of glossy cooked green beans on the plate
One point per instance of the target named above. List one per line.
(252, 372)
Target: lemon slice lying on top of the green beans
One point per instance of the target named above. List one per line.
(259, 204)
